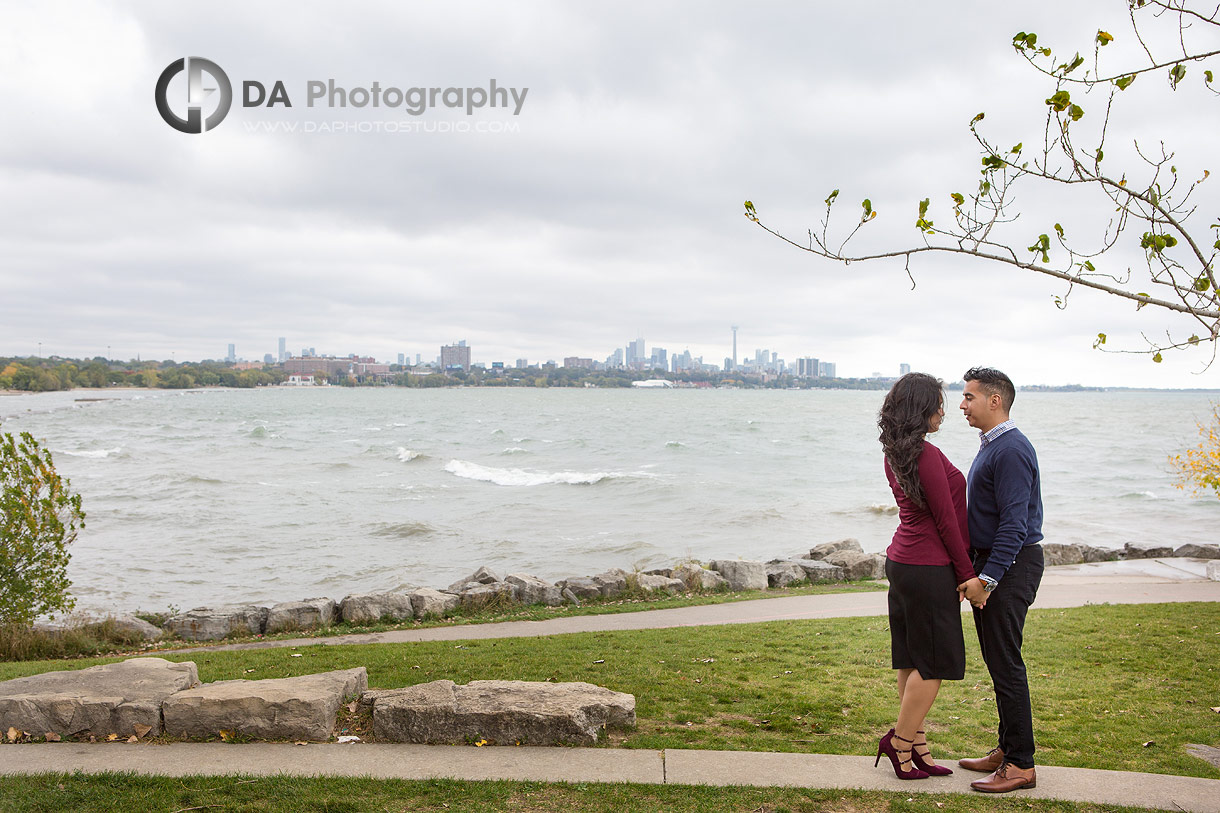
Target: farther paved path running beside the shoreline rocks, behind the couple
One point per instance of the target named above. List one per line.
(1139, 582)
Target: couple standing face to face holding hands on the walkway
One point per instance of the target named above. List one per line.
(945, 552)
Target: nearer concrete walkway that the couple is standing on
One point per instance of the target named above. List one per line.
(672, 767)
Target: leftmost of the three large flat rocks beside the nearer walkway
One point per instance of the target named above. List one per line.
(113, 699)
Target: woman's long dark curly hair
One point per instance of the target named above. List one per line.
(903, 422)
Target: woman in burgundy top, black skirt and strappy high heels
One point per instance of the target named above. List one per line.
(925, 563)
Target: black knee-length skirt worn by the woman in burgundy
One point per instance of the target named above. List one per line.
(925, 621)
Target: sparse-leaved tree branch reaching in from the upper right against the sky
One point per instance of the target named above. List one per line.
(1143, 200)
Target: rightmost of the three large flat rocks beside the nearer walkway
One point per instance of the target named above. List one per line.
(501, 712)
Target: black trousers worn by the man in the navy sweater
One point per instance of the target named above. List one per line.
(1001, 627)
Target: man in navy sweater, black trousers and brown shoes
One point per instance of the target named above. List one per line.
(1005, 511)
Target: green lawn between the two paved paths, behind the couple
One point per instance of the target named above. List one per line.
(1106, 681)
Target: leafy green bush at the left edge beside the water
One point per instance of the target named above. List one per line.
(40, 519)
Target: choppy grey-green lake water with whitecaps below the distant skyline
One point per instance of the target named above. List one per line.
(278, 495)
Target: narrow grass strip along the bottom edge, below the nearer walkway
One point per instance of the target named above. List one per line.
(56, 793)
